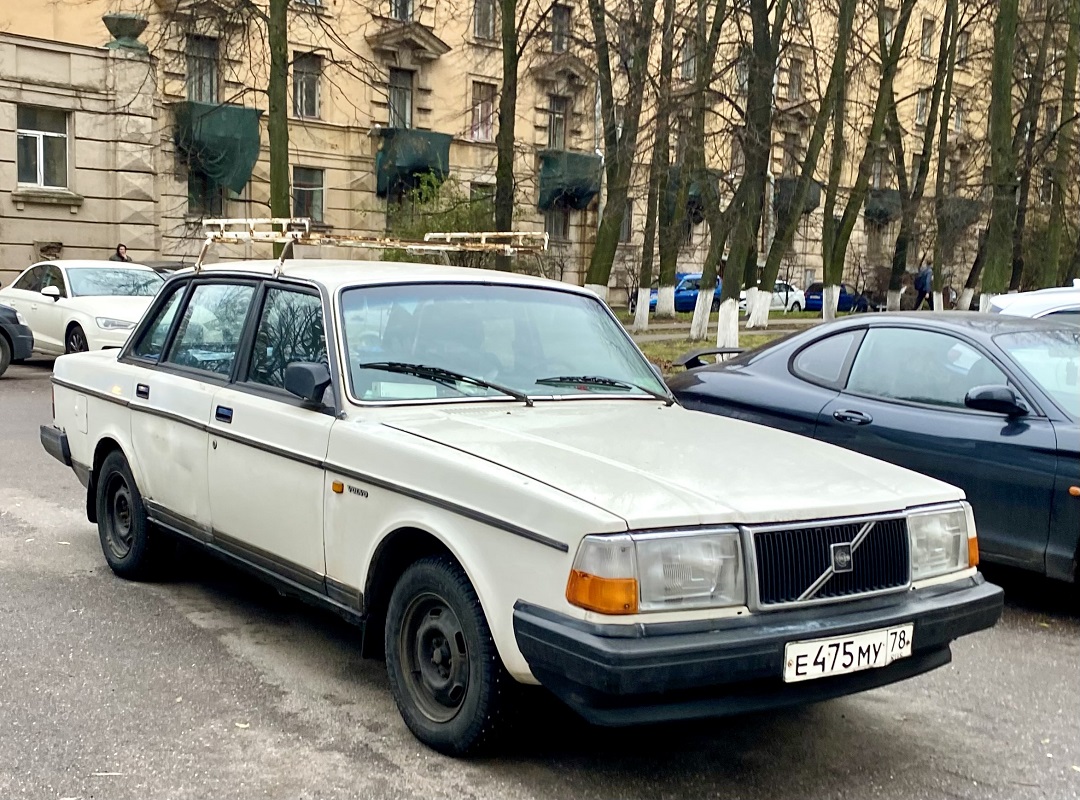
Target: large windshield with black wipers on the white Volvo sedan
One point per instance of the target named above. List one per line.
(538, 343)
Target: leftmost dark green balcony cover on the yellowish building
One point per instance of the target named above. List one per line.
(222, 142)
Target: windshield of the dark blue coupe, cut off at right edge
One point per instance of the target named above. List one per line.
(1052, 359)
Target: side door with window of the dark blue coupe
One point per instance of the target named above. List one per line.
(903, 402)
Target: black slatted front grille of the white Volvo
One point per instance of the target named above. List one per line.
(791, 561)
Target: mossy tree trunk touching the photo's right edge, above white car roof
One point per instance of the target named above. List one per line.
(1056, 265)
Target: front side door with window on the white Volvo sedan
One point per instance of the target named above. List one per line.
(267, 481)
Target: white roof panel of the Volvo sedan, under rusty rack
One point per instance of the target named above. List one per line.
(335, 275)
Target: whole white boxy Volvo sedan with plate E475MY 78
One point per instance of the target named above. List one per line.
(484, 472)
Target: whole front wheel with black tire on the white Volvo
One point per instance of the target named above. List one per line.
(445, 673)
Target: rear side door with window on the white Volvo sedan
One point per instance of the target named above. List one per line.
(188, 352)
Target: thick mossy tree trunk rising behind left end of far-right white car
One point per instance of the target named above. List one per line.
(1003, 159)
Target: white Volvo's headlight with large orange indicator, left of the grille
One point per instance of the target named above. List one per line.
(624, 575)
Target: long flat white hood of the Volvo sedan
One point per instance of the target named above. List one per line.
(659, 467)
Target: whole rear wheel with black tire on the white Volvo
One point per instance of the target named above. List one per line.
(129, 541)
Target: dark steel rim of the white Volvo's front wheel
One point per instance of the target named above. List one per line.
(435, 658)
